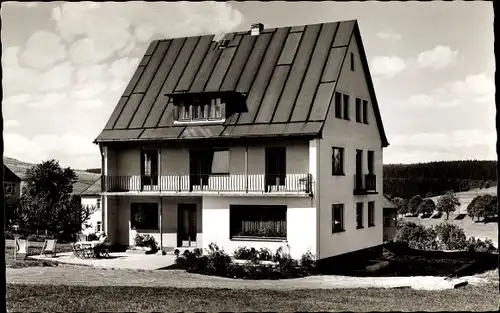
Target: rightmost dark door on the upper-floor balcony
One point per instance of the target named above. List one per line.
(275, 167)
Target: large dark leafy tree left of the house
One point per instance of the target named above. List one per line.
(46, 201)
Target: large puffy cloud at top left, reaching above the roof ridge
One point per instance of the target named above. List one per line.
(98, 31)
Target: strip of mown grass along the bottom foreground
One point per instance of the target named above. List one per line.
(51, 298)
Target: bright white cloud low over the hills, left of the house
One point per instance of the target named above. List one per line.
(65, 148)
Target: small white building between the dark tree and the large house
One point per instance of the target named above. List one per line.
(91, 197)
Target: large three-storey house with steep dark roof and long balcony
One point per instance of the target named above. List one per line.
(265, 136)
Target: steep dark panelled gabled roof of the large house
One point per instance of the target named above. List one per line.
(288, 76)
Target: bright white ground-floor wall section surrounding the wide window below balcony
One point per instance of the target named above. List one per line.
(301, 223)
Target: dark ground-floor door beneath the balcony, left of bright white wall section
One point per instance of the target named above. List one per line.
(186, 226)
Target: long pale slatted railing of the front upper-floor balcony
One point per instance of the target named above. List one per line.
(288, 183)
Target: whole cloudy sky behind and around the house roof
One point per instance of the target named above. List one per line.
(65, 65)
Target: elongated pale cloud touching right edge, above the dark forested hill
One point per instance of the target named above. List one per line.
(478, 88)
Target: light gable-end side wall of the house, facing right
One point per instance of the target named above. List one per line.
(339, 189)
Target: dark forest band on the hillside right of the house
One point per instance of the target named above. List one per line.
(434, 178)
